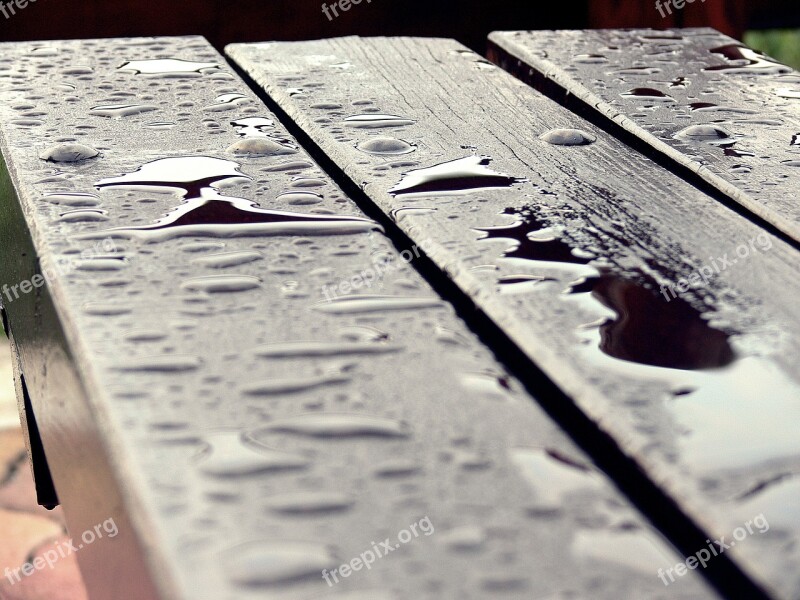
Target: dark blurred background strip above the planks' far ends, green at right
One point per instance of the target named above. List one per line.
(769, 25)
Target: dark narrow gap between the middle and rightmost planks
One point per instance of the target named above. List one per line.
(529, 75)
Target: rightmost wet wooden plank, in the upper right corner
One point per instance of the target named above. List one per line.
(704, 100)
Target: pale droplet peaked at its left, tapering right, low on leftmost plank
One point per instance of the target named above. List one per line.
(229, 454)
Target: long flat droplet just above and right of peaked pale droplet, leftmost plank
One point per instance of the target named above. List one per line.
(335, 425)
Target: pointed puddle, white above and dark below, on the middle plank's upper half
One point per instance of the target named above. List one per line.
(459, 176)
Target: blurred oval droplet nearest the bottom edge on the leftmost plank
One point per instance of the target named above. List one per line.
(277, 563)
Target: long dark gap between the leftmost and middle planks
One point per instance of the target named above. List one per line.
(656, 506)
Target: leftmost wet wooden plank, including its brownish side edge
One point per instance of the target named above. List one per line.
(193, 379)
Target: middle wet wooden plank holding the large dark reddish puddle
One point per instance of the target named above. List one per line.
(574, 251)
